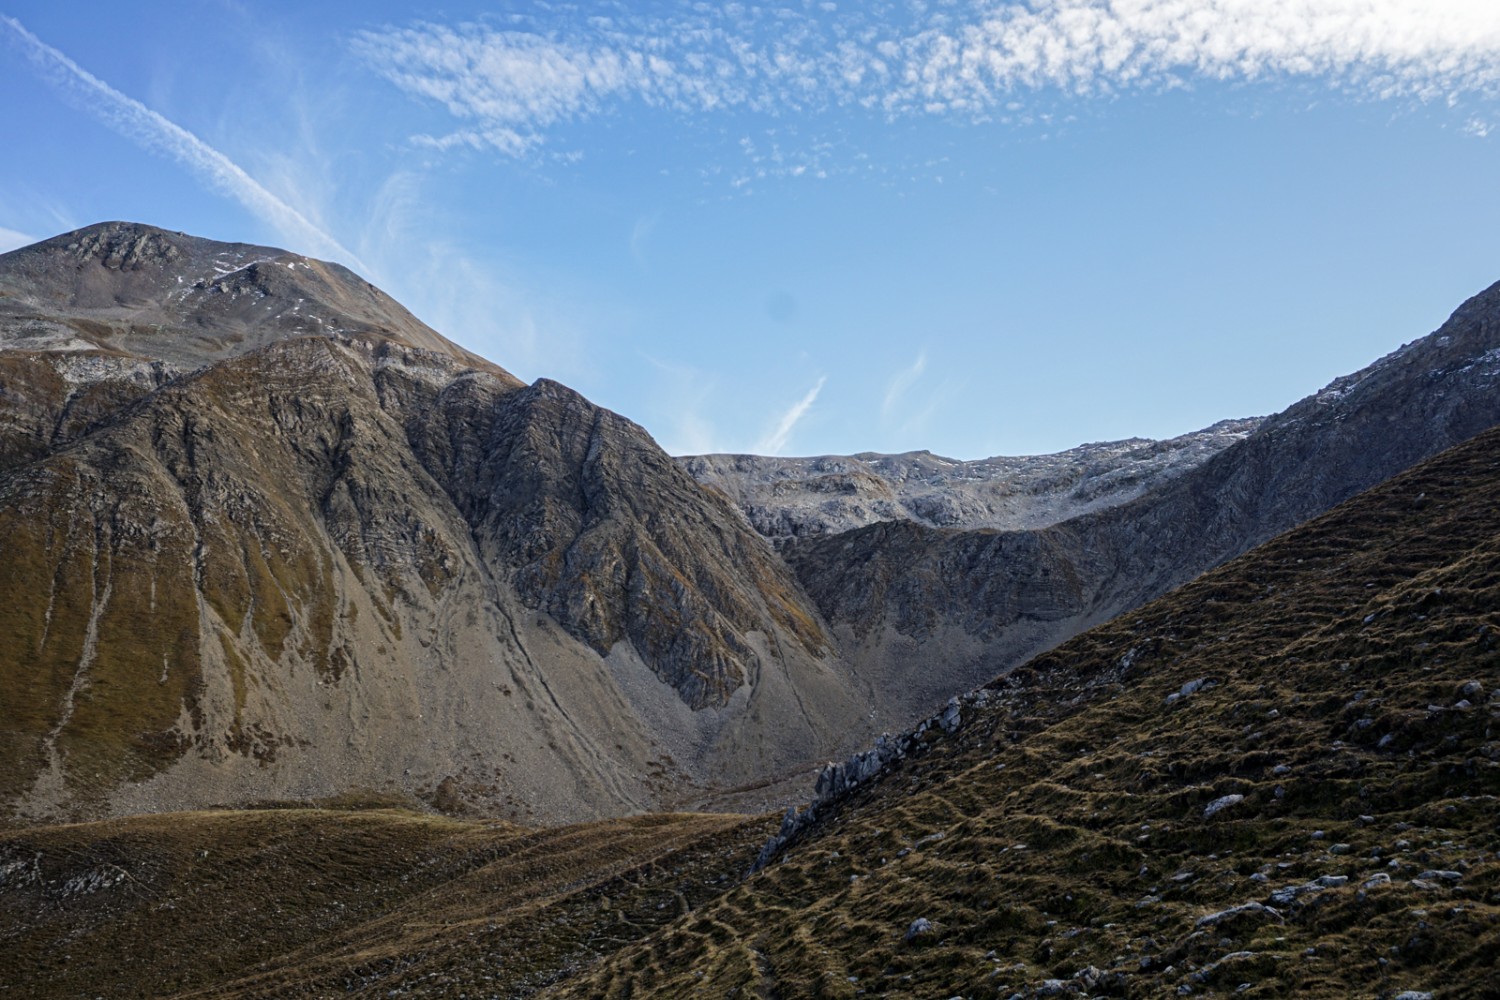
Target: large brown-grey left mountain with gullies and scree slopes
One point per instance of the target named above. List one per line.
(320, 563)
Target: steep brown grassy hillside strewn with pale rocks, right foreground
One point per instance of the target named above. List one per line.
(1064, 827)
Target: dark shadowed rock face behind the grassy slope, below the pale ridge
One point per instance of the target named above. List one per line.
(974, 602)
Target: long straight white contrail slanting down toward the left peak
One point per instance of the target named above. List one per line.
(151, 130)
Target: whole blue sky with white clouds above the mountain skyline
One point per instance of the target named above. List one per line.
(802, 229)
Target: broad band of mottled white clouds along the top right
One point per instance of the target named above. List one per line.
(509, 86)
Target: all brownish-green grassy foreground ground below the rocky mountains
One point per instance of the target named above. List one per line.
(1061, 842)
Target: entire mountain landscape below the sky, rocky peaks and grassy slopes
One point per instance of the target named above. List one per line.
(337, 660)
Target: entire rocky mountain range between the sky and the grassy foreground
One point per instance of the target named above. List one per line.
(269, 537)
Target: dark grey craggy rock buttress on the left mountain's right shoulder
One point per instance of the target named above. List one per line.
(614, 542)
